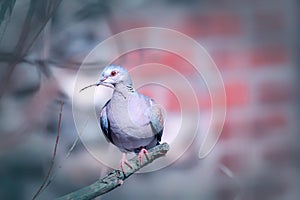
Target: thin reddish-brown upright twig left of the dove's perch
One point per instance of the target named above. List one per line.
(54, 153)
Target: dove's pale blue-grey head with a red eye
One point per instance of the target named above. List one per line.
(114, 75)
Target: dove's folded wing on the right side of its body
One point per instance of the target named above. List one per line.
(156, 119)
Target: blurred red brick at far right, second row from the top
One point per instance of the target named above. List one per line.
(268, 55)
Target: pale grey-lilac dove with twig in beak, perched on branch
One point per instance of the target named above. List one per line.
(131, 121)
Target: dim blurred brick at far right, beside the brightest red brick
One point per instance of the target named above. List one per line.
(275, 92)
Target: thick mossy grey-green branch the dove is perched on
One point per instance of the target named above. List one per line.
(116, 177)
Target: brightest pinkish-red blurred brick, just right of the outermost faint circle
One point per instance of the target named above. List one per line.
(237, 93)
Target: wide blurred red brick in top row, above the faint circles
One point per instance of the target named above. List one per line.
(212, 25)
